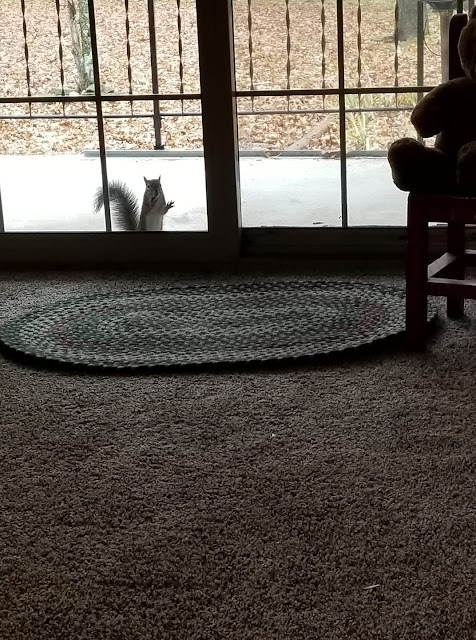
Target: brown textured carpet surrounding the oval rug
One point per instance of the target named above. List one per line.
(329, 500)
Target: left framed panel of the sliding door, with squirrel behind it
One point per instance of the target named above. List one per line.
(102, 93)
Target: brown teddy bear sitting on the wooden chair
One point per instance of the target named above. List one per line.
(447, 111)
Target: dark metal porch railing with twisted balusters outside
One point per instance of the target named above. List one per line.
(325, 86)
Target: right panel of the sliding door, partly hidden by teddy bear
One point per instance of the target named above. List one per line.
(323, 88)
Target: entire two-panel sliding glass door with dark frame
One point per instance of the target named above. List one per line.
(300, 97)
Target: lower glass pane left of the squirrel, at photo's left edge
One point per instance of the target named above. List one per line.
(47, 182)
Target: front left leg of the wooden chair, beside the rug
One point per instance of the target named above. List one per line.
(416, 278)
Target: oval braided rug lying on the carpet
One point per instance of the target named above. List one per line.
(215, 323)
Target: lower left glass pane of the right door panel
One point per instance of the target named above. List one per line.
(289, 169)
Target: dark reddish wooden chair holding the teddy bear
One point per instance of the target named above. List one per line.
(446, 275)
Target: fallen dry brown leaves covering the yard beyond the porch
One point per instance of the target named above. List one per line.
(311, 66)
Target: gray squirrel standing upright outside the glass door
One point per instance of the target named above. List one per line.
(125, 207)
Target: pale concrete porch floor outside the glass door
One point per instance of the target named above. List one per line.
(55, 193)
